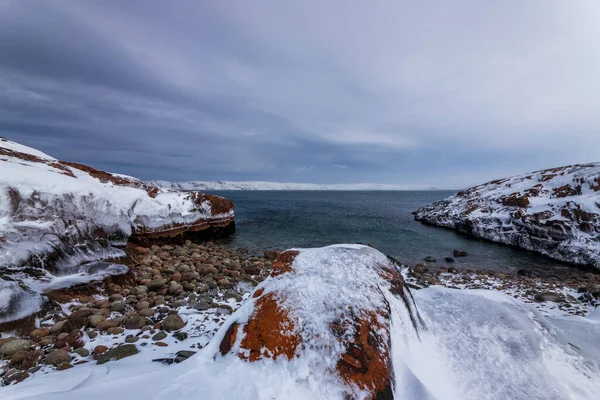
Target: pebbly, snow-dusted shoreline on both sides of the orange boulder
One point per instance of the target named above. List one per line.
(175, 297)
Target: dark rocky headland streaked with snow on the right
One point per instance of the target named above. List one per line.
(555, 212)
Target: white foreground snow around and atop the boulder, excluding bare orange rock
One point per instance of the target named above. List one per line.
(478, 344)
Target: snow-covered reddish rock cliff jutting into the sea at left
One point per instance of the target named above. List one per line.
(58, 214)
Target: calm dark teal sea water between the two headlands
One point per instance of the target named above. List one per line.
(282, 219)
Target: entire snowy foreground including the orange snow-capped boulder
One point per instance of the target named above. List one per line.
(471, 345)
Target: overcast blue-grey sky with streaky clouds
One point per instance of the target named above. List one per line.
(435, 93)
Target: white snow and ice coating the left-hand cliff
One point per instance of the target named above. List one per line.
(60, 209)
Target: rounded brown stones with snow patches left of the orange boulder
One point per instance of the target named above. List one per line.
(170, 304)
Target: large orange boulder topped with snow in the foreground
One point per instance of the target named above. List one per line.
(332, 304)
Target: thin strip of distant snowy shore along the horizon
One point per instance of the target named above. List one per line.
(261, 185)
